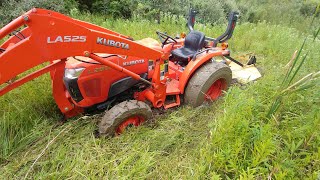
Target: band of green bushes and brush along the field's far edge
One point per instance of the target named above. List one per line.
(292, 13)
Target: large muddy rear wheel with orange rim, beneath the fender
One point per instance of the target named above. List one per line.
(207, 83)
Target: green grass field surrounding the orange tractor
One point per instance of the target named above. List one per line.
(230, 139)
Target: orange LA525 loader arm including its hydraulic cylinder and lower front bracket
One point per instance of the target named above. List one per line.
(47, 36)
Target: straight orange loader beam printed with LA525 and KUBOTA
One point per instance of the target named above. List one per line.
(50, 36)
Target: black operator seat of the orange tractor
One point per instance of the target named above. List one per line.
(194, 41)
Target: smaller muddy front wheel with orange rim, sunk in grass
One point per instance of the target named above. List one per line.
(123, 115)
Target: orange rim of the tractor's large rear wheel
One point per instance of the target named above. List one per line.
(215, 90)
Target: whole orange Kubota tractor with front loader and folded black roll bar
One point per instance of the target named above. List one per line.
(93, 68)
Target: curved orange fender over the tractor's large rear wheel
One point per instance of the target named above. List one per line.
(193, 65)
